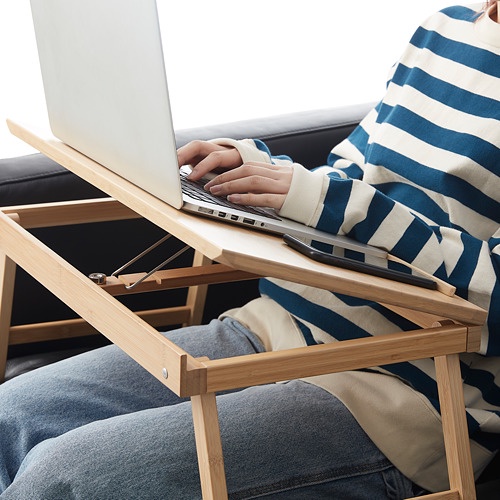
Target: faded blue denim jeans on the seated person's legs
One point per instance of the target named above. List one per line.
(98, 426)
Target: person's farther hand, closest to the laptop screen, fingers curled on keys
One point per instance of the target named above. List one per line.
(205, 157)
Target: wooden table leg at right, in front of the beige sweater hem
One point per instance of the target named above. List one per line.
(456, 436)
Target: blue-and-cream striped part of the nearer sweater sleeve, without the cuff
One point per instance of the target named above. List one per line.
(358, 210)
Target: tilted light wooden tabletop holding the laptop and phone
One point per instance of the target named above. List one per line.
(246, 249)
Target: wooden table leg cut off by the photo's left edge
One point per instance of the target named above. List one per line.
(7, 277)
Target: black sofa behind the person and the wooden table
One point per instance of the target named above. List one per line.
(103, 247)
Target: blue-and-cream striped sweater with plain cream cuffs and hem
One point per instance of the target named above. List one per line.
(420, 177)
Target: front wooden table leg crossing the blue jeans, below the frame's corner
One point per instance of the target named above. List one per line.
(209, 447)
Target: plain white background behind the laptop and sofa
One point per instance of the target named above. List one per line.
(231, 60)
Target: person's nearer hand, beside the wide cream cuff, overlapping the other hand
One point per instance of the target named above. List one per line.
(254, 183)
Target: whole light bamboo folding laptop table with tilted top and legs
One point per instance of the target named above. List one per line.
(238, 254)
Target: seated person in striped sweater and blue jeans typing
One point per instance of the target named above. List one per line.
(419, 177)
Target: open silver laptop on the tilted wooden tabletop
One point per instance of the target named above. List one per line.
(106, 93)
